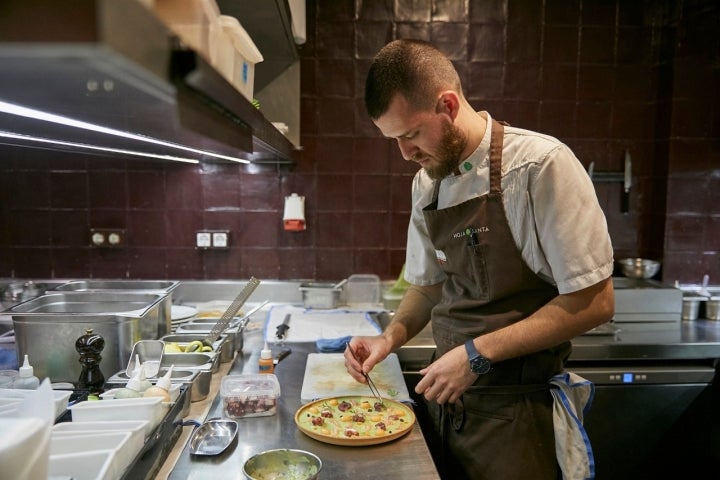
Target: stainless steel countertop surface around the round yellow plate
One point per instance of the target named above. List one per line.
(409, 455)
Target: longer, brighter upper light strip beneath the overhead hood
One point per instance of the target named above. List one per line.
(50, 117)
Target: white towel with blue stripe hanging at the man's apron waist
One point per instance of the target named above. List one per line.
(572, 397)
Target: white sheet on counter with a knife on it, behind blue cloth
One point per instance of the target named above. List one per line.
(309, 325)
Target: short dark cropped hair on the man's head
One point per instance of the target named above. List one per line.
(413, 68)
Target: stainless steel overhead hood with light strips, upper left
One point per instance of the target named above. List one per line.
(138, 79)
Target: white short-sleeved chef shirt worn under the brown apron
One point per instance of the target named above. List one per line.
(550, 203)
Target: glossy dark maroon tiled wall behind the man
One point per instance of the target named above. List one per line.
(603, 76)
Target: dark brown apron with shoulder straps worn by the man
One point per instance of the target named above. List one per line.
(502, 426)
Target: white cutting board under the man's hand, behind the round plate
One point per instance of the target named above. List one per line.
(326, 376)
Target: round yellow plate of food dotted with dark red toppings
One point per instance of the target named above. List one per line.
(397, 417)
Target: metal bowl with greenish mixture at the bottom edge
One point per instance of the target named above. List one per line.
(283, 463)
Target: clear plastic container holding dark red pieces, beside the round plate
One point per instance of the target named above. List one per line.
(251, 395)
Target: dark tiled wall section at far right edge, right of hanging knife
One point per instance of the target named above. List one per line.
(692, 233)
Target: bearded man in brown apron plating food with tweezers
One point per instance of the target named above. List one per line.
(508, 255)
